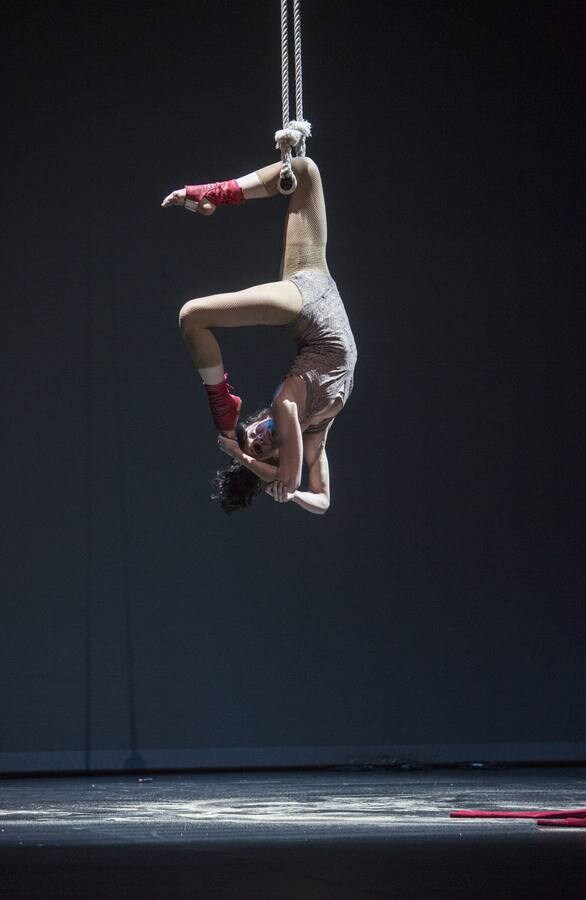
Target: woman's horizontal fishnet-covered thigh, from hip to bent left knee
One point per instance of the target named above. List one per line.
(276, 303)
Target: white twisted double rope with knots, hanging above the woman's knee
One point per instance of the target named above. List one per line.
(295, 132)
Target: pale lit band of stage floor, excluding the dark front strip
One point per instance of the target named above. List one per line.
(212, 806)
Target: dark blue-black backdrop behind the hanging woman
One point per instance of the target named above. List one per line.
(436, 611)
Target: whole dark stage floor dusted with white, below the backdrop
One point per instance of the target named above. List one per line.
(287, 835)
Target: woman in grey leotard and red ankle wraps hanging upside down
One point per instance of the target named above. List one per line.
(269, 447)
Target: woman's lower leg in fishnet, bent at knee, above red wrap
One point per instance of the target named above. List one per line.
(277, 303)
